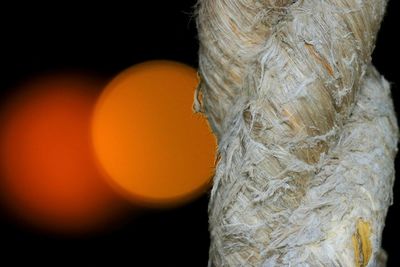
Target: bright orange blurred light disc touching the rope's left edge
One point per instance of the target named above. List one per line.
(147, 138)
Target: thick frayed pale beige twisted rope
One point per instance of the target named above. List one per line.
(306, 131)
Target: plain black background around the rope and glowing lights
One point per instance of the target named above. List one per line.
(104, 39)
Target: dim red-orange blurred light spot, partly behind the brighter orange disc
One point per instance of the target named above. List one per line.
(49, 178)
